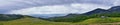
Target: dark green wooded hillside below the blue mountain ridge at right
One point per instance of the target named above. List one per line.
(80, 18)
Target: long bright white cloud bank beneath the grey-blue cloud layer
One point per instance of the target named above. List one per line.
(60, 9)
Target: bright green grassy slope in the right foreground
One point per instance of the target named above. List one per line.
(101, 21)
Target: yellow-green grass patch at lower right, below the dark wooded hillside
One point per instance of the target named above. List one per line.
(101, 20)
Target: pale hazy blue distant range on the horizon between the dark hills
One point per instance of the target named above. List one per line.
(47, 15)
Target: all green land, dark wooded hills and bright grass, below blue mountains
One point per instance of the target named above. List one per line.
(72, 19)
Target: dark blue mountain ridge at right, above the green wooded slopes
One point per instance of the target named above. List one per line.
(99, 10)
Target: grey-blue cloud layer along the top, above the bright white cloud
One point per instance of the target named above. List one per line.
(10, 5)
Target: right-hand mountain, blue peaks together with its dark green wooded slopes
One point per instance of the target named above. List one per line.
(97, 13)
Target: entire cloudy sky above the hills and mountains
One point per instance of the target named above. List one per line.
(28, 7)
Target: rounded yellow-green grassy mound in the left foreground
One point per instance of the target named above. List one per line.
(32, 21)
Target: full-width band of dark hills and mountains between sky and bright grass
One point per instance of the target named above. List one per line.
(69, 17)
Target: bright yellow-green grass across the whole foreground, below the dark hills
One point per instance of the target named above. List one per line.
(35, 21)
